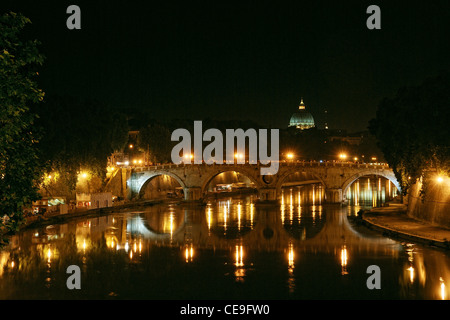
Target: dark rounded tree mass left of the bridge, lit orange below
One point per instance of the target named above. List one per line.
(79, 135)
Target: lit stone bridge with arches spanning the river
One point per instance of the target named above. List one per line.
(336, 177)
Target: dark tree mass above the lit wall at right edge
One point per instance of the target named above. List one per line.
(412, 129)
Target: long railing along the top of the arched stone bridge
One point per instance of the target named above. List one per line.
(298, 163)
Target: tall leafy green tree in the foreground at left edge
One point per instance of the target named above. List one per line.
(20, 169)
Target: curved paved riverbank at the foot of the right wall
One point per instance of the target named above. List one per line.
(393, 222)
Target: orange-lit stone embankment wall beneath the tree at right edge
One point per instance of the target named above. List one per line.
(434, 207)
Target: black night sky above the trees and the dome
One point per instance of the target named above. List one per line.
(240, 60)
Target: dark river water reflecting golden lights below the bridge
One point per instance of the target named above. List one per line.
(229, 248)
